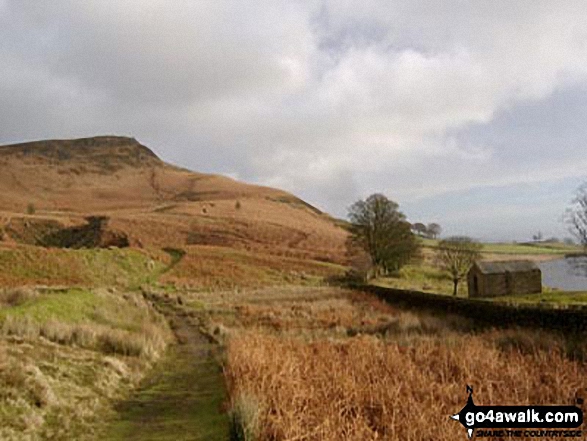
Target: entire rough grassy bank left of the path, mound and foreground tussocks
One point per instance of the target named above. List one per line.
(65, 354)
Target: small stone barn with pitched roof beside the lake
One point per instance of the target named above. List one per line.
(493, 279)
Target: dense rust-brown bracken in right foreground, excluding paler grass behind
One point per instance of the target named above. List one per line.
(366, 388)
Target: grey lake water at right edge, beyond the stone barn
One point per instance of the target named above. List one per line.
(568, 274)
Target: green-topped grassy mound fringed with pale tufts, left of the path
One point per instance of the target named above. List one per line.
(111, 323)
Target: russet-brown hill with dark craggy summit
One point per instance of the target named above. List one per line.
(150, 201)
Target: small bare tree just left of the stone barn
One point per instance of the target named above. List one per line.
(456, 255)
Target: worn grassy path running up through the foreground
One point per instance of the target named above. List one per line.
(182, 398)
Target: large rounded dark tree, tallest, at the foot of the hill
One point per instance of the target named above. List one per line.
(383, 232)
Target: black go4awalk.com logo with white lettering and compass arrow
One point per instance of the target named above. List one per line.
(513, 421)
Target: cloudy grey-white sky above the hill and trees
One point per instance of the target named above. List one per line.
(468, 113)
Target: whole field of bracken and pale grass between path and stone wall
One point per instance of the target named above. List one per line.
(322, 363)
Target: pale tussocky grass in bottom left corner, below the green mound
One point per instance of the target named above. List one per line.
(50, 391)
